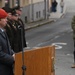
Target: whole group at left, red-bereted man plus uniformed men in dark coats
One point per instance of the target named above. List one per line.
(12, 37)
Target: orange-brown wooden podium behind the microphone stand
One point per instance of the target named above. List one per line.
(38, 61)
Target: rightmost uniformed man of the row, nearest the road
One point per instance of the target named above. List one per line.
(18, 10)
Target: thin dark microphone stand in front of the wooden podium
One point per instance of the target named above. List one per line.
(23, 66)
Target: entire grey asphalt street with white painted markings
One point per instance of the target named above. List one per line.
(58, 33)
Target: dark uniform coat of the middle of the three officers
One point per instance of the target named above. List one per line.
(16, 41)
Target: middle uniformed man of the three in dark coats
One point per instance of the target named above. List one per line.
(16, 32)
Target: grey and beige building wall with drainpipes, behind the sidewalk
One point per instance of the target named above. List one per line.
(35, 10)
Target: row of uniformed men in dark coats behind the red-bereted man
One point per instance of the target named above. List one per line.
(13, 28)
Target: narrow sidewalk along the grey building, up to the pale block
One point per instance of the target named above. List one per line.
(52, 18)
